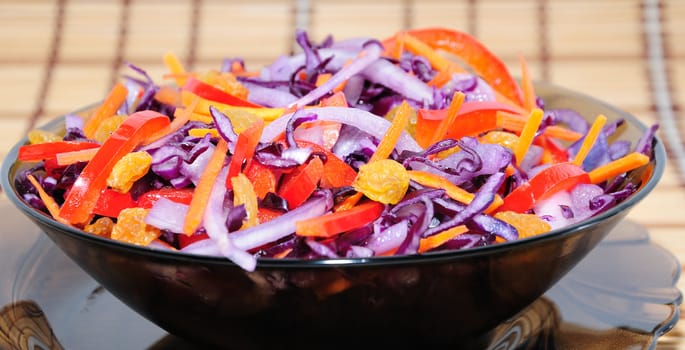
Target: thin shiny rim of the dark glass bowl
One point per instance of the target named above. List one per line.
(659, 160)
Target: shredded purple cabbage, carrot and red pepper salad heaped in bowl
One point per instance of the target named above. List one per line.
(416, 143)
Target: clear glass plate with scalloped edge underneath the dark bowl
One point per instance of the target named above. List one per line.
(621, 296)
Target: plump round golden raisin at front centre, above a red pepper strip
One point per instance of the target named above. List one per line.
(384, 181)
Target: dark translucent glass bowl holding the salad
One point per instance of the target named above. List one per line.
(451, 298)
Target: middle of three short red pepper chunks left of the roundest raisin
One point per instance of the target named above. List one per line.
(300, 184)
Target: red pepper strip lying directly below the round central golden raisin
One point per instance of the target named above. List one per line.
(331, 224)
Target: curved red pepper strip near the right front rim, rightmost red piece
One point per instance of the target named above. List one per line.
(556, 178)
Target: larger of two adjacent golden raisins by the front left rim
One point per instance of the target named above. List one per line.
(131, 227)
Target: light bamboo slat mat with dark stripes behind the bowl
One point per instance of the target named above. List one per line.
(57, 55)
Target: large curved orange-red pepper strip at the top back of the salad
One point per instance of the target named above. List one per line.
(476, 55)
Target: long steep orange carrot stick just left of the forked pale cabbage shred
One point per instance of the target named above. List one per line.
(203, 189)
